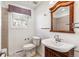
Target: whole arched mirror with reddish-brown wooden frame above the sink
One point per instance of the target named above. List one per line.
(62, 17)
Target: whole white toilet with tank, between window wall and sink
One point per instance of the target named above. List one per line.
(30, 48)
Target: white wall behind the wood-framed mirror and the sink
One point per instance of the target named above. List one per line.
(44, 21)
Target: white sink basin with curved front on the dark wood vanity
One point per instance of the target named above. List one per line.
(59, 46)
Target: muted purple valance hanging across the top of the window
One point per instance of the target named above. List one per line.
(16, 9)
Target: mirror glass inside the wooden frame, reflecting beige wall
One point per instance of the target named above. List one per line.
(61, 19)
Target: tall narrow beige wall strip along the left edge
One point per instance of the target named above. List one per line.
(4, 28)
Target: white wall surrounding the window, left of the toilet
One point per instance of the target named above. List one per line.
(16, 36)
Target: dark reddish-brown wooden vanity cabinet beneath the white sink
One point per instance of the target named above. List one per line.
(52, 53)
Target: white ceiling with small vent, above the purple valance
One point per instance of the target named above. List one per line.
(31, 4)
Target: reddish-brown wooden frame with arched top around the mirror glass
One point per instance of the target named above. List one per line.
(71, 14)
